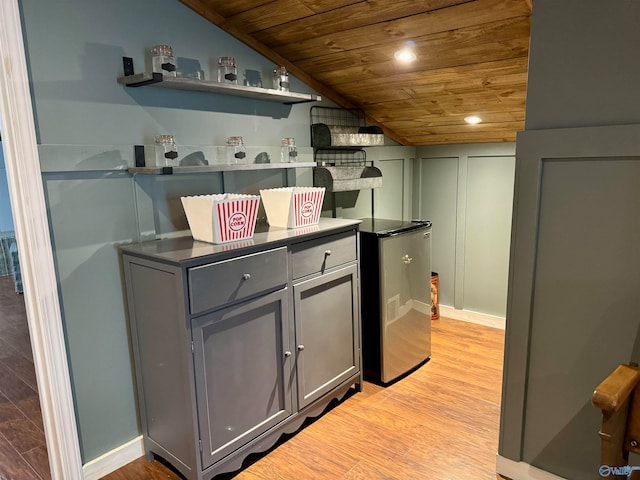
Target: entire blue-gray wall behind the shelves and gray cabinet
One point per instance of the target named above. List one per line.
(86, 126)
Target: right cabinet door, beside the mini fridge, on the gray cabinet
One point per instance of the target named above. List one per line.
(327, 332)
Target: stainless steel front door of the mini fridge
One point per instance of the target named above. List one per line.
(405, 279)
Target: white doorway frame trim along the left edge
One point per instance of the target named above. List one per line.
(35, 251)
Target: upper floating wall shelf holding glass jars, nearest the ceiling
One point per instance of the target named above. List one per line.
(177, 83)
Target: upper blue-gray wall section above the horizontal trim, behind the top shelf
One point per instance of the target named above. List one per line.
(75, 51)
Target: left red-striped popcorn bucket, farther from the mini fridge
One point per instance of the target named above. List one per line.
(221, 218)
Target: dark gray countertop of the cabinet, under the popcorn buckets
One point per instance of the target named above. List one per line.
(183, 250)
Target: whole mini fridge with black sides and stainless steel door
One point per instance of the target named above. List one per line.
(395, 284)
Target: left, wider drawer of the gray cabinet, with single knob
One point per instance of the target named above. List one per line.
(220, 283)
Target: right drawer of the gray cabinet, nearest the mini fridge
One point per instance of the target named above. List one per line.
(323, 253)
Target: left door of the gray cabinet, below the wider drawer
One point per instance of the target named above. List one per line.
(242, 373)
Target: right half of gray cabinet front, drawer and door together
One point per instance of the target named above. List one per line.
(326, 313)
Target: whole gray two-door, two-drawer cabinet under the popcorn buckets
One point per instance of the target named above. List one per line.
(236, 345)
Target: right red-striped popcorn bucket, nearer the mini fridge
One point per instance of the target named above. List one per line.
(293, 207)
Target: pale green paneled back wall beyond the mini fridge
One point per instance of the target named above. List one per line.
(467, 192)
